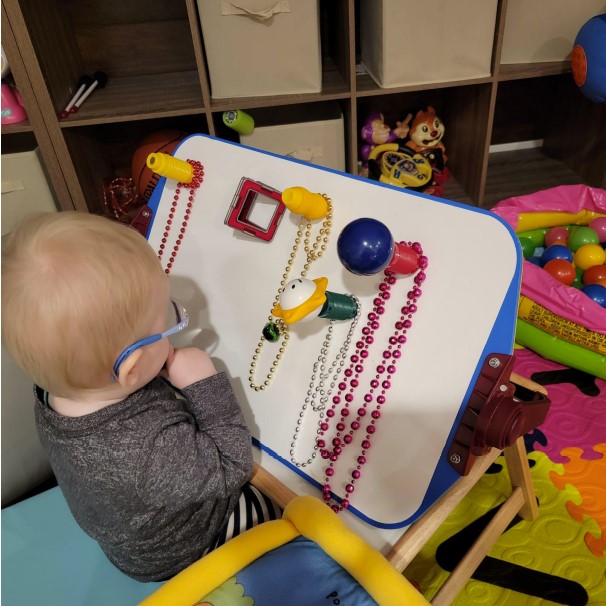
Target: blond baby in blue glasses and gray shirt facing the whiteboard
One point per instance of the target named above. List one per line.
(147, 442)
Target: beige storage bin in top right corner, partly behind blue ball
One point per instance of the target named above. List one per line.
(544, 30)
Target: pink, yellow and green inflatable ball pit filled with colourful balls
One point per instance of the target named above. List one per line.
(562, 232)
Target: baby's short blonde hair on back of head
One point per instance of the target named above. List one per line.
(76, 290)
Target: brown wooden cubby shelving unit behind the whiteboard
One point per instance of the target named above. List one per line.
(153, 52)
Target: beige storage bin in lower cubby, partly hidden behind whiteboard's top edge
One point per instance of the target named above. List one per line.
(320, 141)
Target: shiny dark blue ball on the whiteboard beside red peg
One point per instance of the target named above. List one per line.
(365, 247)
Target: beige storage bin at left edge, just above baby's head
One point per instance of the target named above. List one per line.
(25, 188)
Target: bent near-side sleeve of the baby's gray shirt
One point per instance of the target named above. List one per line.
(190, 457)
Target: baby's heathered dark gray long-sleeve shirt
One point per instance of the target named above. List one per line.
(152, 478)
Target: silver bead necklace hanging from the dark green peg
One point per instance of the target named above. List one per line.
(317, 394)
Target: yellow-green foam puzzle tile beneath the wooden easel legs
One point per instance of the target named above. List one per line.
(537, 548)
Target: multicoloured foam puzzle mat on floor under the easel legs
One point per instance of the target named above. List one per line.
(558, 558)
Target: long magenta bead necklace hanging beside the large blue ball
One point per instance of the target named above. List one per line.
(379, 385)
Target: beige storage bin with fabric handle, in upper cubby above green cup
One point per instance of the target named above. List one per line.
(262, 47)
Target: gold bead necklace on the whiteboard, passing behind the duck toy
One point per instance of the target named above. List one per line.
(313, 253)
